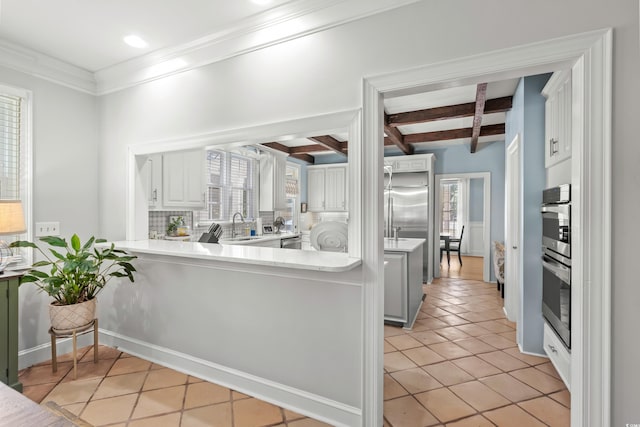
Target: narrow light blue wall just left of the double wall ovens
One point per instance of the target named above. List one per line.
(527, 119)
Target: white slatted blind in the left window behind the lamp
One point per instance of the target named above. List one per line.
(10, 110)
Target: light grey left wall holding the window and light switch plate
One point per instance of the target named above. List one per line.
(65, 178)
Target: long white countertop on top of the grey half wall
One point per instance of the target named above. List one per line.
(276, 257)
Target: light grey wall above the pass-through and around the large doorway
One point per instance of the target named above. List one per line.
(322, 73)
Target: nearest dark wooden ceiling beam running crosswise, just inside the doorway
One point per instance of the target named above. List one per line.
(496, 105)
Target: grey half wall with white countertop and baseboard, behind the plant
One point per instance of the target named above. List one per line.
(254, 319)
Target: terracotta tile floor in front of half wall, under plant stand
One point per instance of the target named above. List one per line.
(123, 390)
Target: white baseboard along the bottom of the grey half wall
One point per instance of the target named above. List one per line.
(309, 404)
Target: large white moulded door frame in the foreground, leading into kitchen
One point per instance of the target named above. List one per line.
(591, 170)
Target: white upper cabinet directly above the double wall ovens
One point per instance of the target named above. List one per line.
(557, 118)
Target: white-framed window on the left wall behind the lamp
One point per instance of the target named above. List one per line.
(15, 168)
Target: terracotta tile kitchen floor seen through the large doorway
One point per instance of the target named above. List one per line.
(460, 366)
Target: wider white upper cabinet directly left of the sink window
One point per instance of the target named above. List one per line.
(183, 179)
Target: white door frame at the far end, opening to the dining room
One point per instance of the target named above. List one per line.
(486, 220)
